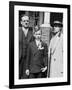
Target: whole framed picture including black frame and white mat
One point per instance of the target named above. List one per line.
(39, 44)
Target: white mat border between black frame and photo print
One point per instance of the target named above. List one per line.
(16, 45)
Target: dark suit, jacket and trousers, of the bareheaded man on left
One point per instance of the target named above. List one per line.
(23, 45)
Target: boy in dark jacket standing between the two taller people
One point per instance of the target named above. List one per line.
(37, 56)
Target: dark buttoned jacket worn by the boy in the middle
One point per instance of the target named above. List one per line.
(36, 59)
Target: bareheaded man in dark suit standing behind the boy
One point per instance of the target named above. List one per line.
(25, 37)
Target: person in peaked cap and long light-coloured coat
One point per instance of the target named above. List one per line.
(55, 53)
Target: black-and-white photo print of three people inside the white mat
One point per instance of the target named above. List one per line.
(40, 44)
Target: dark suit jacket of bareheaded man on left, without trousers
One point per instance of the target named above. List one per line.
(24, 41)
